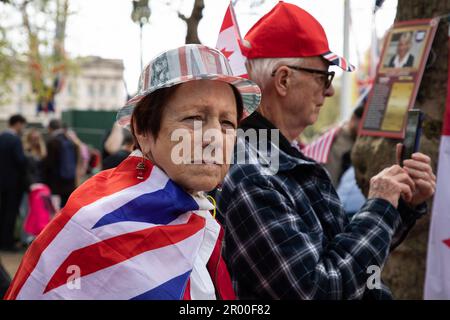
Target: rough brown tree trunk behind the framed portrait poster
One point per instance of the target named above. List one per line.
(405, 270)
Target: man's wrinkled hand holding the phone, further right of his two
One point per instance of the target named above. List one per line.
(419, 169)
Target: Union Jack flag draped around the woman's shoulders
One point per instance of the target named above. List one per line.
(122, 238)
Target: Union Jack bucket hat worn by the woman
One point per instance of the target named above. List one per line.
(187, 63)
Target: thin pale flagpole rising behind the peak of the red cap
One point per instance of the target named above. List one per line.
(345, 80)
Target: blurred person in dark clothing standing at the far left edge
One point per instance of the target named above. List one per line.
(13, 179)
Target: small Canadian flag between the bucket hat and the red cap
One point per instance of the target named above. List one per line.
(228, 43)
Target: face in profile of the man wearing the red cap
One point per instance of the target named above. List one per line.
(307, 94)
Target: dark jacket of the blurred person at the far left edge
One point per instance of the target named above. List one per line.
(13, 163)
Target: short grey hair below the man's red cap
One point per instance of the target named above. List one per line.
(260, 70)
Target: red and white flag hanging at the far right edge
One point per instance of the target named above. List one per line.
(437, 280)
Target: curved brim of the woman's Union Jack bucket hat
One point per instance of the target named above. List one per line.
(250, 93)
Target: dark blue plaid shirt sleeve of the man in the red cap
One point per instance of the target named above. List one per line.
(274, 253)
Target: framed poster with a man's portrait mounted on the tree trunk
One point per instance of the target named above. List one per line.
(399, 73)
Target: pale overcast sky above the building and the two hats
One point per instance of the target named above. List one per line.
(104, 27)
